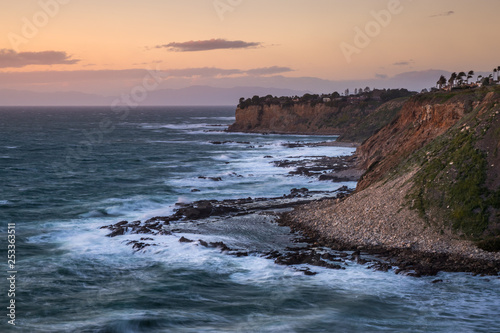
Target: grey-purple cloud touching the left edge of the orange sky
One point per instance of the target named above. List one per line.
(11, 58)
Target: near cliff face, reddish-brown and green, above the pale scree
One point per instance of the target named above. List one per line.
(450, 142)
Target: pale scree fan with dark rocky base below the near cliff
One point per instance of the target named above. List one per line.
(376, 221)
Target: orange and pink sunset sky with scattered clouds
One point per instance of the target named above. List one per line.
(107, 47)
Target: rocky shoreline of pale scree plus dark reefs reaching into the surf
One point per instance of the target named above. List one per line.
(332, 229)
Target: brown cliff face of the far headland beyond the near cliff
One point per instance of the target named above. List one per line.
(355, 122)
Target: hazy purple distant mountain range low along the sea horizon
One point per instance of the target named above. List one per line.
(194, 95)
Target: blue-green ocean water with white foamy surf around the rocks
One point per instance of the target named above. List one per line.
(65, 172)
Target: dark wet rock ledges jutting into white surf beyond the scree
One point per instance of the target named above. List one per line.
(188, 217)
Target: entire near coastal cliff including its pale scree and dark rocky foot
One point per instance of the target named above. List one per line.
(431, 191)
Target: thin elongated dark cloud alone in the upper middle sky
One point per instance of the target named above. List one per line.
(207, 45)
